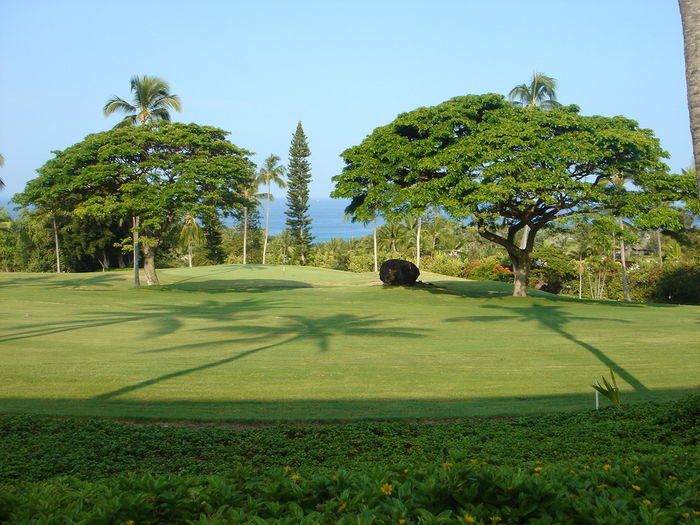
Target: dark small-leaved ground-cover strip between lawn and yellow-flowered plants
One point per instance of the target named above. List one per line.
(38, 448)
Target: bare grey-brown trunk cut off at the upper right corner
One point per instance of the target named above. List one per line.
(690, 17)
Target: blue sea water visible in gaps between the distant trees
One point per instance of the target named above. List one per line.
(327, 218)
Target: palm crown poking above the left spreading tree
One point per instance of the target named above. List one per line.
(151, 101)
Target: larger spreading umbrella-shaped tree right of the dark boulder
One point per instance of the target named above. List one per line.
(505, 168)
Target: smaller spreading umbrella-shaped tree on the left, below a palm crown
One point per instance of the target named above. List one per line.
(157, 173)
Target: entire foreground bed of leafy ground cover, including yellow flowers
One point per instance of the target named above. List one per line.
(641, 465)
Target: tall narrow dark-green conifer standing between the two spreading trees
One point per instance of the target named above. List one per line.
(298, 177)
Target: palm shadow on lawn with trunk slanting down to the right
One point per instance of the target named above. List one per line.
(555, 318)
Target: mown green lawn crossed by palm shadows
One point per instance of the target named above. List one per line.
(291, 343)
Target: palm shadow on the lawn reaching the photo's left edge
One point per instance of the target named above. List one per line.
(163, 319)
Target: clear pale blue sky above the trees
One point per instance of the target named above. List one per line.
(255, 68)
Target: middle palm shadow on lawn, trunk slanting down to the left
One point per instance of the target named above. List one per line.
(294, 329)
